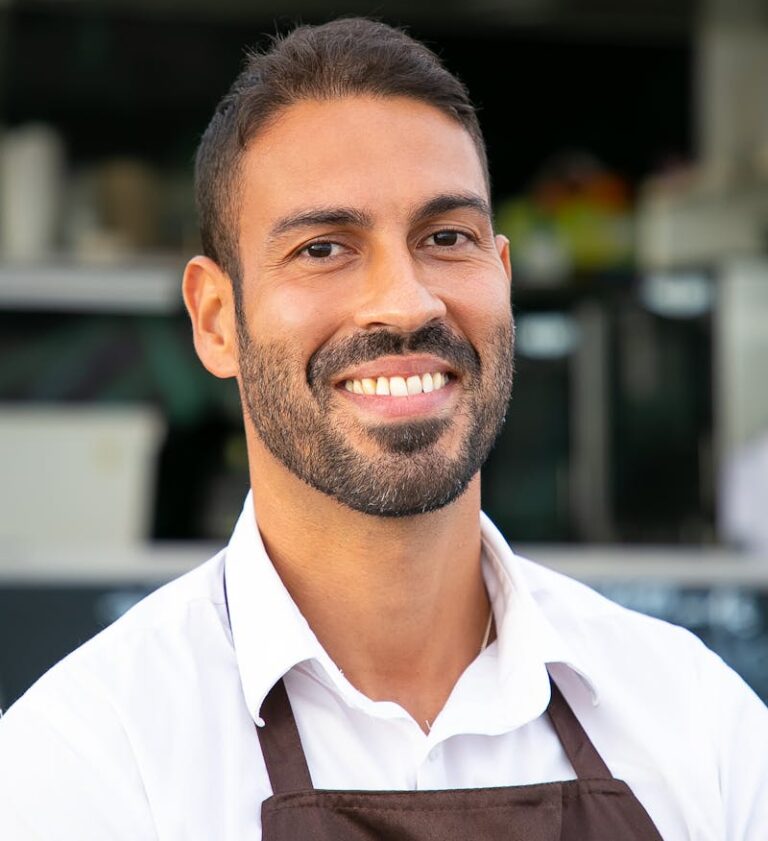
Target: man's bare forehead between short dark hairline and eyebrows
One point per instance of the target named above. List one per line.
(381, 154)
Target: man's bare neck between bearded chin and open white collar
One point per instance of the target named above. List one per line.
(398, 603)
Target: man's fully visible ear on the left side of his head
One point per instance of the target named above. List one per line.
(209, 299)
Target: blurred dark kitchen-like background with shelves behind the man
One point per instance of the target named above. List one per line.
(629, 150)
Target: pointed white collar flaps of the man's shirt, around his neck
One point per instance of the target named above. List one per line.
(271, 636)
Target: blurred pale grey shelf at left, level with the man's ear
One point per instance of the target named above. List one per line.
(132, 288)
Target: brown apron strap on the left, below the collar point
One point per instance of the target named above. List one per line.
(281, 745)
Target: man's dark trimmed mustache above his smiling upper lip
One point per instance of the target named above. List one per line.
(326, 362)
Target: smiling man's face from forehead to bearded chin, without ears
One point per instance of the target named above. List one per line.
(375, 332)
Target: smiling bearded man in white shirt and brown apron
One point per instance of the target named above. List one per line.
(367, 659)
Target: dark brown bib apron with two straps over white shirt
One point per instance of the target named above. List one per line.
(593, 807)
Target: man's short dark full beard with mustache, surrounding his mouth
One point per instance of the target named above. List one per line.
(411, 472)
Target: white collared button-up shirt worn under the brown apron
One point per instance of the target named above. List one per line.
(147, 731)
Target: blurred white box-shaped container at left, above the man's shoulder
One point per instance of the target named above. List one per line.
(76, 475)
